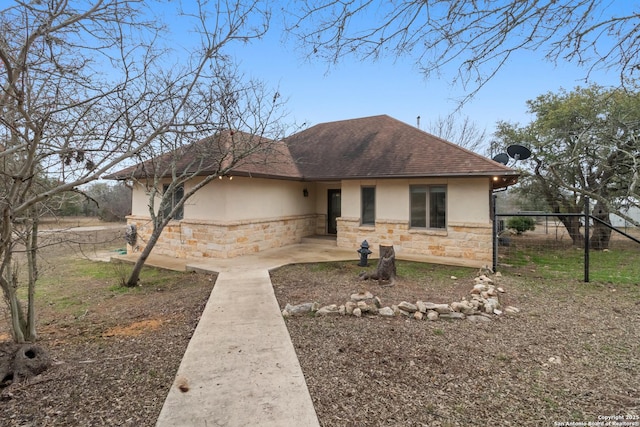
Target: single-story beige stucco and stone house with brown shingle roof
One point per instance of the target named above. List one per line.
(373, 178)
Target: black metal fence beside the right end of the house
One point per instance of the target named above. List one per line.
(552, 237)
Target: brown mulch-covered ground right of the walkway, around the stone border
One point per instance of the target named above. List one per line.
(571, 355)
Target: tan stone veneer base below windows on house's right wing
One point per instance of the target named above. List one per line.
(464, 243)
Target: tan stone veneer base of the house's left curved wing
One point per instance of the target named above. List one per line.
(214, 239)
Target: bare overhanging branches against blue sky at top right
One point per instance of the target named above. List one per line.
(475, 37)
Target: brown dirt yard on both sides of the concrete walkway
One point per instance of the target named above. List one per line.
(571, 355)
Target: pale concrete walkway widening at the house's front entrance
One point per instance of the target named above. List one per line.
(240, 366)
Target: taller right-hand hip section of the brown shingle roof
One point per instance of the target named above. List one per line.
(381, 147)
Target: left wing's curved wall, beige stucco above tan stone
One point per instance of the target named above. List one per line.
(228, 218)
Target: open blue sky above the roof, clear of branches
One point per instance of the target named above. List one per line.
(318, 92)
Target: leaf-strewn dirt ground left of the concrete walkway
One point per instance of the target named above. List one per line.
(114, 366)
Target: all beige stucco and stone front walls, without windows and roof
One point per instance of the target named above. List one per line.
(244, 215)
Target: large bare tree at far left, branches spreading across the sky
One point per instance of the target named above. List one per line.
(86, 86)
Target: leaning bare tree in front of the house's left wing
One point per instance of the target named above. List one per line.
(246, 129)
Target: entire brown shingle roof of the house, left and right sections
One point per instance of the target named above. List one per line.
(370, 147)
